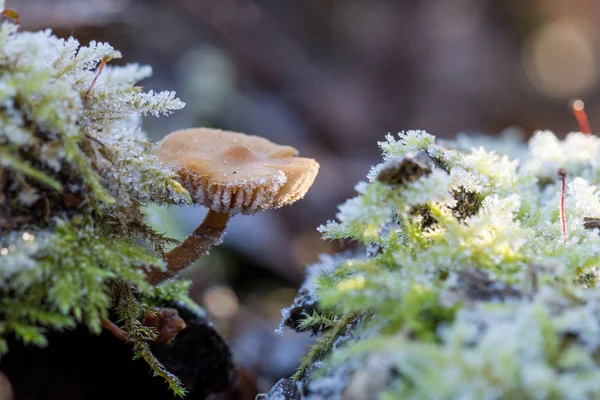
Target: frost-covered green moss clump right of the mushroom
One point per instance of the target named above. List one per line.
(471, 292)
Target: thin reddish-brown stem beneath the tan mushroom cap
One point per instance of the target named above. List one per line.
(207, 235)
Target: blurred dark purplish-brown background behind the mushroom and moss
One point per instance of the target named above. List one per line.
(331, 77)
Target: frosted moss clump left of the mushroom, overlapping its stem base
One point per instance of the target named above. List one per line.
(76, 171)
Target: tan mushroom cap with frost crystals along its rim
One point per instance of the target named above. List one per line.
(232, 172)
